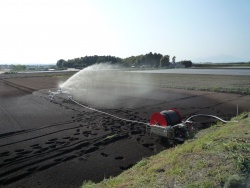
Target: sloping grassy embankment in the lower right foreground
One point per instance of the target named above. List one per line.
(216, 157)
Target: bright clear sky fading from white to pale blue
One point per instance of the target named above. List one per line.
(44, 31)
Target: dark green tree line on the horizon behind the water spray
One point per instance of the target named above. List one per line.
(149, 60)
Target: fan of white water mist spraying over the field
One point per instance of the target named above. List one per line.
(106, 86)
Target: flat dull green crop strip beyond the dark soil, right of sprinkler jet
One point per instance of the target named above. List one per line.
(216, 83)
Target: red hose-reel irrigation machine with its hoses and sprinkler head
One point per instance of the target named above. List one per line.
(167, 123)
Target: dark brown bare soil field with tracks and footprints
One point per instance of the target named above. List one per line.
(61, 144)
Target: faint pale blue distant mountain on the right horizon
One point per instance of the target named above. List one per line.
(221, 59)
